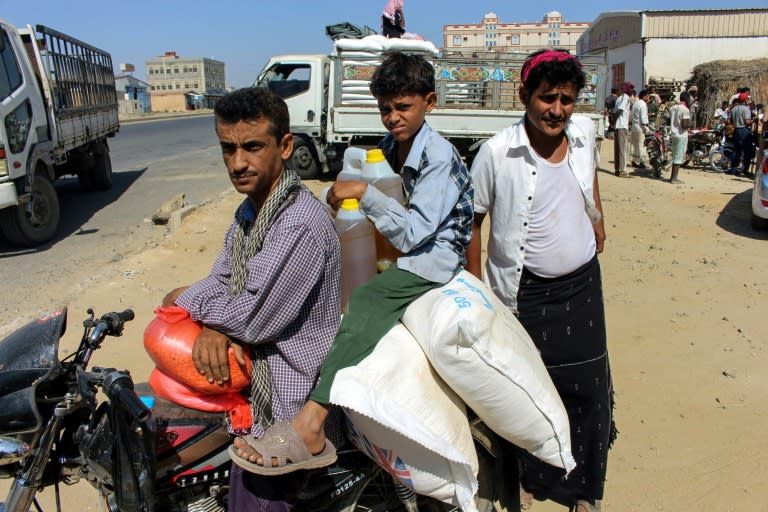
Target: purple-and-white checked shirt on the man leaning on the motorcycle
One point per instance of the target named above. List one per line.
(290, 305)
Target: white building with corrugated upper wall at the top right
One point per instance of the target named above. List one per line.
(644, 47)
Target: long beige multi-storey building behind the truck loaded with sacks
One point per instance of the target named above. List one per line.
(492, 35)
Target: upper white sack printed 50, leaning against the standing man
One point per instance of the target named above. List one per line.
(483, 353)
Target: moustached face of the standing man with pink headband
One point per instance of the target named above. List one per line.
(549, 107)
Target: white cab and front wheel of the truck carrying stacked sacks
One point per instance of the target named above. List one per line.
(302, 81)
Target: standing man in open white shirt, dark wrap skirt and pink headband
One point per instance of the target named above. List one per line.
(537, 180)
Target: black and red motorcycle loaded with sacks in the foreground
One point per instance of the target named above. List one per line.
(165, 458)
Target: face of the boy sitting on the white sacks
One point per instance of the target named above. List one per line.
(404, 114)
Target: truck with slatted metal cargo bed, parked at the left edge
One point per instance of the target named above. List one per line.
(58, 105)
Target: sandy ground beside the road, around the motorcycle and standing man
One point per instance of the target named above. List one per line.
(685, 290)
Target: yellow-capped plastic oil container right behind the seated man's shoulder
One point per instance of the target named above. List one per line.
(358, 248)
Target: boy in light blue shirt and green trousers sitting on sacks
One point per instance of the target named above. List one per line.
(432, 232)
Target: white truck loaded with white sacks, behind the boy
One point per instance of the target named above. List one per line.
(331, 107)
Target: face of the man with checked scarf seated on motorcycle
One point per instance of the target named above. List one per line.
(254, 158)
